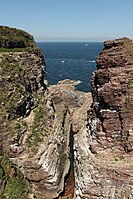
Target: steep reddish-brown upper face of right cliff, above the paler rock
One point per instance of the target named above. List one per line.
(113, 95)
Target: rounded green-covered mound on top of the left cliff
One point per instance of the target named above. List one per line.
(15, 40)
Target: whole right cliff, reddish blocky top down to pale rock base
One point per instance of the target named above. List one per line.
(103, 160)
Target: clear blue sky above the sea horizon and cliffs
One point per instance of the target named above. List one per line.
(69, 20)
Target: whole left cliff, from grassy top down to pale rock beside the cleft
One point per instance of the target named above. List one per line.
(34, 131)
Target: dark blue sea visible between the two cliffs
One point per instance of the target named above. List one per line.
(71, 60)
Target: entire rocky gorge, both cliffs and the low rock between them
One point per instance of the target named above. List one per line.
(57, 142)
